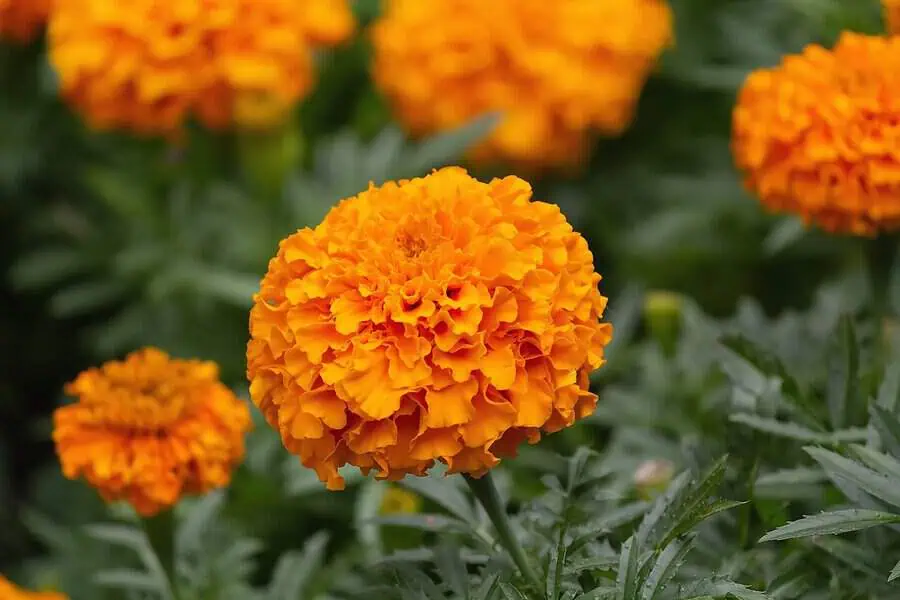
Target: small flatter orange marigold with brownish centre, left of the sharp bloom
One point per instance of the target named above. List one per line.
(150, 429)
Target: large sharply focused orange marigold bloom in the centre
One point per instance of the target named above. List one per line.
(437, 319)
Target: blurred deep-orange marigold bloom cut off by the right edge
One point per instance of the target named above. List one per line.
(819, 135)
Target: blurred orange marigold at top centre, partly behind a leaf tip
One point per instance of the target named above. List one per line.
(556, 69)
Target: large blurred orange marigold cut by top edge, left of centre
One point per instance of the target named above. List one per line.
(149, 65)
